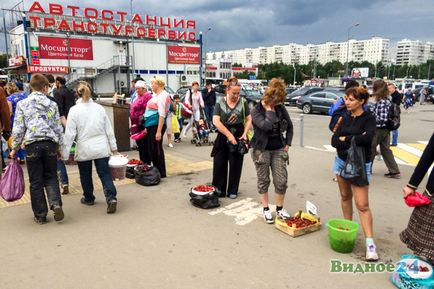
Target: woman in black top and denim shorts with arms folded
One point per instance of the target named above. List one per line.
(360, 125)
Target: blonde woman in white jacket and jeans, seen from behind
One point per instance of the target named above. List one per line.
(90, 126)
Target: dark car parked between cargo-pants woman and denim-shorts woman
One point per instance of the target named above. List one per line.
(319, 101)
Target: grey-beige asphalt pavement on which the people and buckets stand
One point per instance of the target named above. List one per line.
(157, 239)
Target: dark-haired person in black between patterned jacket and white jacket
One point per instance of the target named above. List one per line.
(65, 99)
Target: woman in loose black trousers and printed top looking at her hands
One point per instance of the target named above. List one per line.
(233, 121)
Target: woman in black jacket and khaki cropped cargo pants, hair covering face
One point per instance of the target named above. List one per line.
(272, 138)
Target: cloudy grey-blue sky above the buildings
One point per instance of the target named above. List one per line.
(253, 23)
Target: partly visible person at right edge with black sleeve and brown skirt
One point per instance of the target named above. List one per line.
(419, 235)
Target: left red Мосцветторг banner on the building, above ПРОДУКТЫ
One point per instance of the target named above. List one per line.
(58, 48)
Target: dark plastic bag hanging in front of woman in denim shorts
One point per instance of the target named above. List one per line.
(354, 168)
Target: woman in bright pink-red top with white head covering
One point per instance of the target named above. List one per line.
(137, 109)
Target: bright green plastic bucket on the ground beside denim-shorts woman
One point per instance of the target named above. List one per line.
(342, 234)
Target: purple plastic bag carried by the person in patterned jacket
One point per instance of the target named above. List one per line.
(12, 183)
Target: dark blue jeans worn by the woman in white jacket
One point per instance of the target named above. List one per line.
(85, 169)
